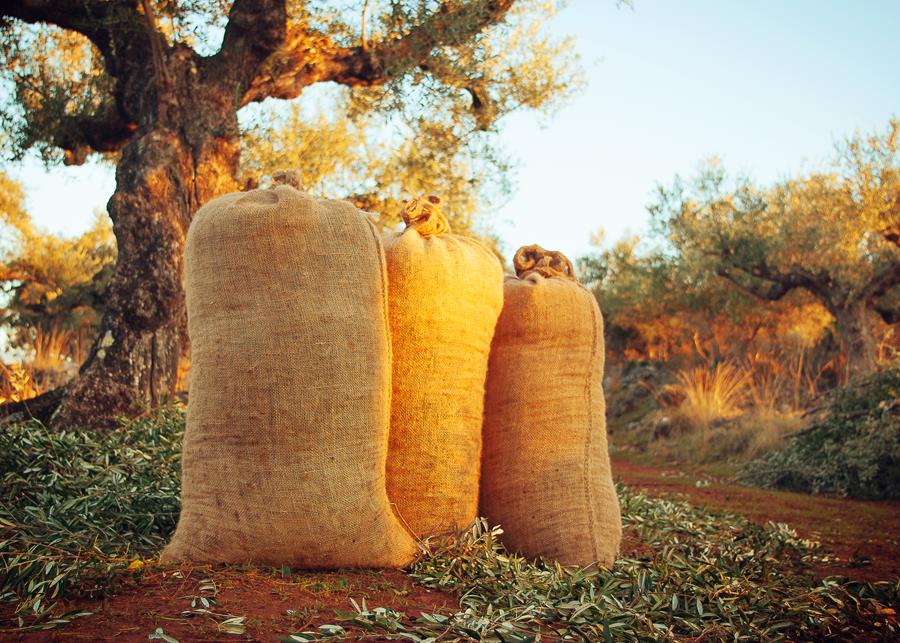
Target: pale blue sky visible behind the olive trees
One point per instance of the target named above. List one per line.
(768, 86)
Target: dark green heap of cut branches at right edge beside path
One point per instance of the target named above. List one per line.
(853, 450)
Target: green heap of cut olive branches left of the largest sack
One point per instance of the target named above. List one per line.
(78, 506)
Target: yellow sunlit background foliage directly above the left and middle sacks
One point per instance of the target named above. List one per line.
(344, 154)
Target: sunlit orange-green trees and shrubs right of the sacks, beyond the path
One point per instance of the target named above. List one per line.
(736, 269)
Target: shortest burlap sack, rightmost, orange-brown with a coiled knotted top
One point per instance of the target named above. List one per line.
(545, 470)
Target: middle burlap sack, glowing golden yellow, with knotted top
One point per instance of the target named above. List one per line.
(445, 293)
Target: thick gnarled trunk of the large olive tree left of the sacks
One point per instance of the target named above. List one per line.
(165, 174)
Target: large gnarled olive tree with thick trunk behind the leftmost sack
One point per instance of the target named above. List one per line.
(157, 85)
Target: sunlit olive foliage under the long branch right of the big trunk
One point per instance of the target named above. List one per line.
(380, 146)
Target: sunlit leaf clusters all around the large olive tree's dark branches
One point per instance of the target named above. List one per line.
(428, 130)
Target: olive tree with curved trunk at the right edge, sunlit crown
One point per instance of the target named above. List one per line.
(832, 234)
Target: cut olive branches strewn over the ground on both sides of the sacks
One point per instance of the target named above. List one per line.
(78, 508)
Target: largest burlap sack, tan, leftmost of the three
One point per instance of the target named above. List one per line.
(287, 423)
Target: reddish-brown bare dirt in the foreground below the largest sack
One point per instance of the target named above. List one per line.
(273, 605)
